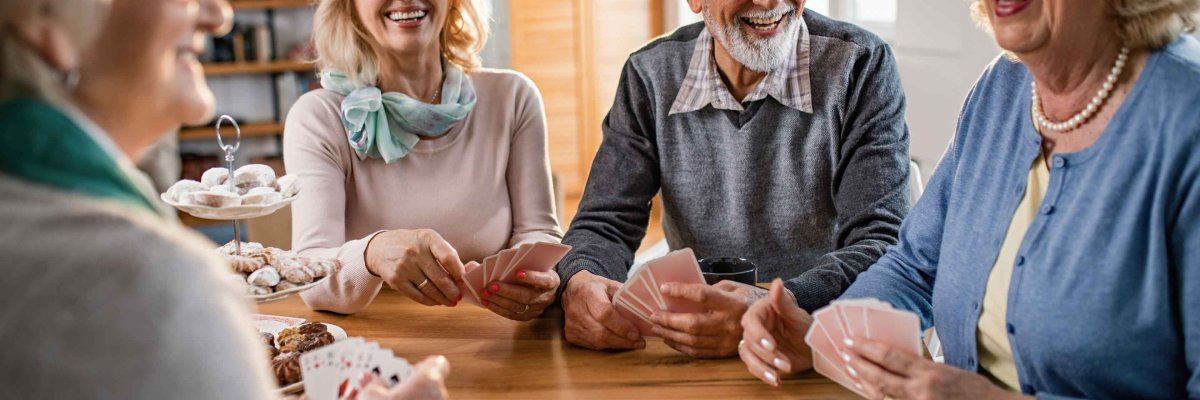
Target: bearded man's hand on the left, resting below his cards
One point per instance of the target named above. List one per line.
(592, 321)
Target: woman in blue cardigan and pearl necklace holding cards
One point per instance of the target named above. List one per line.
(1061, 228)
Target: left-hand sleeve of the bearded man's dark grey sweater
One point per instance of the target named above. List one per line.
(616, 206)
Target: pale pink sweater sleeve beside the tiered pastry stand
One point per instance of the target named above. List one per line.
(315, 150)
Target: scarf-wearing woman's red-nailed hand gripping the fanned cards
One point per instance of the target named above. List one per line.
(524, 301)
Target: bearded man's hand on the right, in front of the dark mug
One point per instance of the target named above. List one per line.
(712, 335)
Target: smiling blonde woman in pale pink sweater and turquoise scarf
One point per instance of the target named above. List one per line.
(415, 159)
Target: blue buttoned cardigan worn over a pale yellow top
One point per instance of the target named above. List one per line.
(1106, 292)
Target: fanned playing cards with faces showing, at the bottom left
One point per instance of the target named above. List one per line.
(332, 371)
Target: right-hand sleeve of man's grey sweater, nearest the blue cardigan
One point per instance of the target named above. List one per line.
(871, 184)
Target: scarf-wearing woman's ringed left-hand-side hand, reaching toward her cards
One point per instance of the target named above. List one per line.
(418, 264)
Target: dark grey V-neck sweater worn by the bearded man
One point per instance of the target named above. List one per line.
(812, 199)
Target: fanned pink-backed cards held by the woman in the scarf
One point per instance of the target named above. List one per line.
(503, 267)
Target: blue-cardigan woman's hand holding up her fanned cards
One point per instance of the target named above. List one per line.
(886, 372)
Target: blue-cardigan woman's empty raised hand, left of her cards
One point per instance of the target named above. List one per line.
(773, 337)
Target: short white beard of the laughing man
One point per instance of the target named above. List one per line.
(753, 52)
